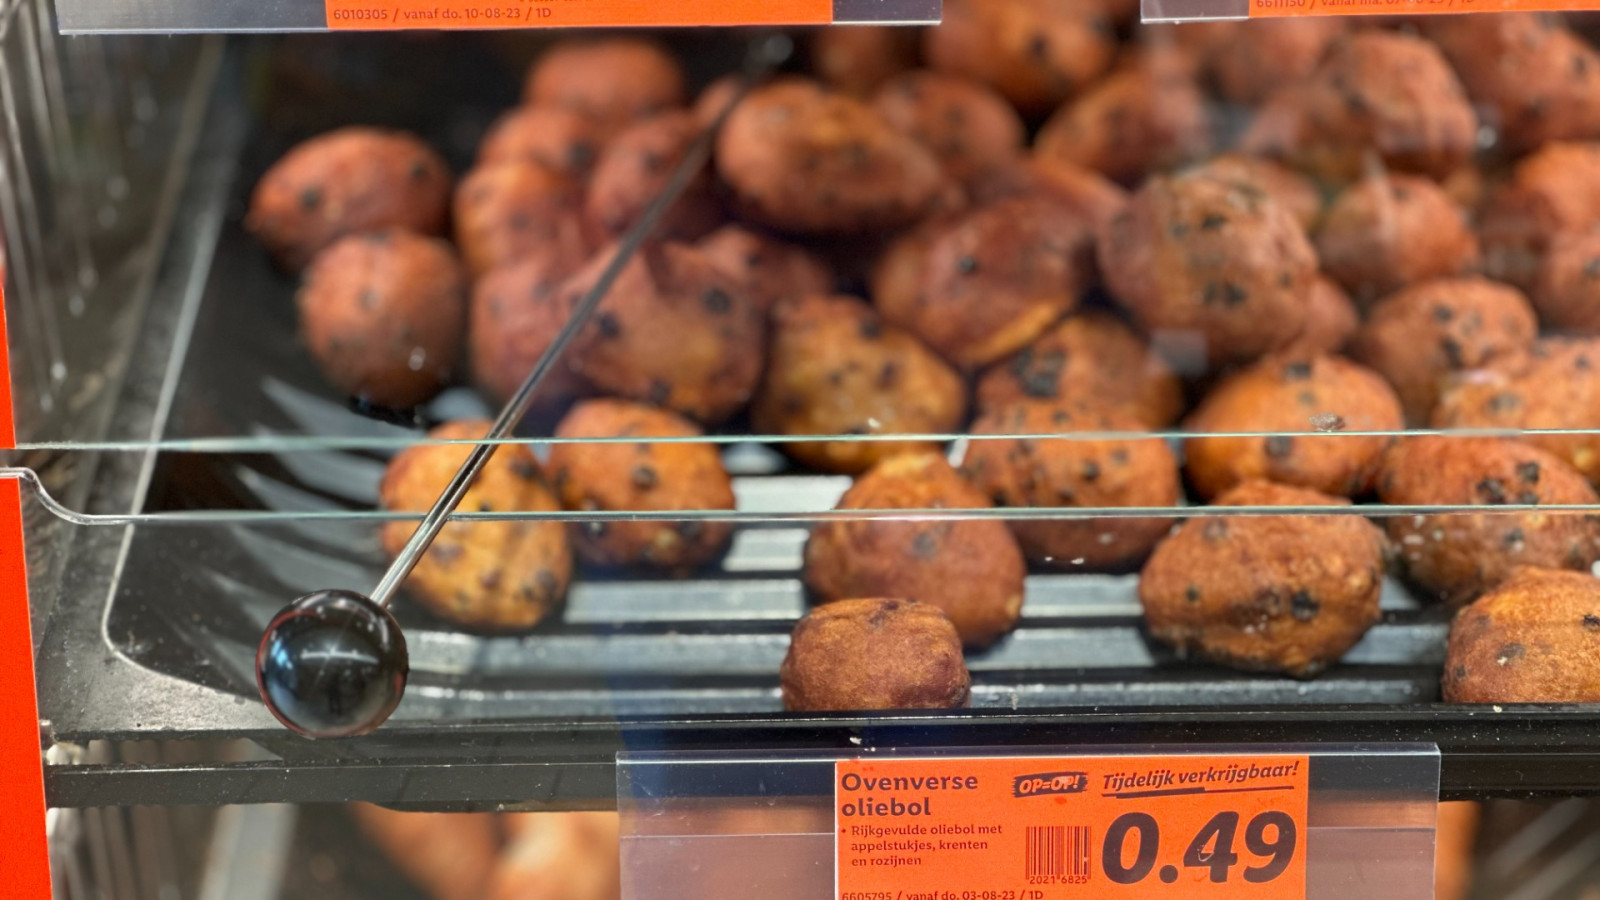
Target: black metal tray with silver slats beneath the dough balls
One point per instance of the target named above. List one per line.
(118, 665)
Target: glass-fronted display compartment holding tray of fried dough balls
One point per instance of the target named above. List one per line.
(1034, 380)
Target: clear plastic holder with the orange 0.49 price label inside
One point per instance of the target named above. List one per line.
(1150, 824)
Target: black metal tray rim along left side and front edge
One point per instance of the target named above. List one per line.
(90, 693)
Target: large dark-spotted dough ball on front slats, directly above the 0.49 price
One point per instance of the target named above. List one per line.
(1266, 593)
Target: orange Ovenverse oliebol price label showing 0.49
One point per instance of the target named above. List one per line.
(1102, 827)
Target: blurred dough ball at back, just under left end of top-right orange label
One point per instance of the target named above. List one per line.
(1265, 55)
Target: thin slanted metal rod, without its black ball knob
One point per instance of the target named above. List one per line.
(764, 58)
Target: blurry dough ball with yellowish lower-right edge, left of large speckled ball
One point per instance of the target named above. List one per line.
(990, 283)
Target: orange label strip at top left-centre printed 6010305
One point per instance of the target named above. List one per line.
(404, 15)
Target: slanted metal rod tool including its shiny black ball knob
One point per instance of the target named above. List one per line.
(334, 664)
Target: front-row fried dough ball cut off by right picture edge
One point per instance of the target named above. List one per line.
(1530, 641)
